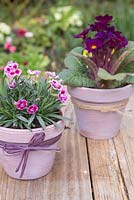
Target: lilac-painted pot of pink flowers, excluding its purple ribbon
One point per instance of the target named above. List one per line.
(39, 163)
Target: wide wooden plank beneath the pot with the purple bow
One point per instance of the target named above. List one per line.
(69, 179)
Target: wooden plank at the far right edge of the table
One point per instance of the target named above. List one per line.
(124, 145)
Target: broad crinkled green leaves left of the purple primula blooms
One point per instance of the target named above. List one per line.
(76, 73)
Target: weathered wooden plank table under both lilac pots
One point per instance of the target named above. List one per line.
(84, 169)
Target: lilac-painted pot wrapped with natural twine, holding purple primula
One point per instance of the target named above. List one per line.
(99, 111)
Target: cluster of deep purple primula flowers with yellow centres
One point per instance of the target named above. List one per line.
(104, 43)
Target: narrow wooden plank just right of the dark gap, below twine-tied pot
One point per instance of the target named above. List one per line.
(106, 176)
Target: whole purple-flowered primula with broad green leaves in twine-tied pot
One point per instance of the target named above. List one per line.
(103, 60)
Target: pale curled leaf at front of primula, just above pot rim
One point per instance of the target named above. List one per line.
(104, 75)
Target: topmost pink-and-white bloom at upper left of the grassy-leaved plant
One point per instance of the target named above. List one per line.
(12, 70)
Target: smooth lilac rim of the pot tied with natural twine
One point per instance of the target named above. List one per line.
(101, 95)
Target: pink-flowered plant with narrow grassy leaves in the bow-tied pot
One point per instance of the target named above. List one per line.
(30, 101)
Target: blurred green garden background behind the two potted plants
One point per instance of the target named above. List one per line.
(53, 23)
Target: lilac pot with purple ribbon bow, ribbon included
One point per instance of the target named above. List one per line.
(39, 160)
